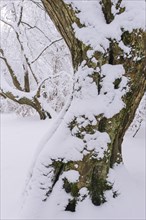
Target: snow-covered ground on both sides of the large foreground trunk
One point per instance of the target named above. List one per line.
(19, 140)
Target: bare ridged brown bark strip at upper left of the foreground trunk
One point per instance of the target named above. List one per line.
(63, 18)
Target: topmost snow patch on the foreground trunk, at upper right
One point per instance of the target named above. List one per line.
(96, 32)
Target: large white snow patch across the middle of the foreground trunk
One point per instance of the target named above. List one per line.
(109, 102)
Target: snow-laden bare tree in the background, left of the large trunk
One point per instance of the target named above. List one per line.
(30, 70)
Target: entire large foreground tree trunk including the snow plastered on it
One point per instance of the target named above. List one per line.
(108, 52)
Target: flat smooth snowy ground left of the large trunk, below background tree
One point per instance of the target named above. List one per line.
(19, 139)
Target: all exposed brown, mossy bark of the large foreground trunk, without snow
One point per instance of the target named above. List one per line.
(93, 172)
